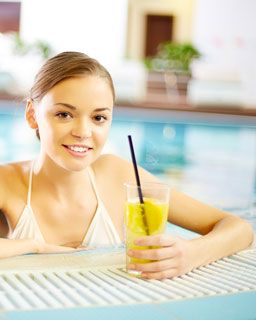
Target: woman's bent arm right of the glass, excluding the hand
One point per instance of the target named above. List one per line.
(223, 233)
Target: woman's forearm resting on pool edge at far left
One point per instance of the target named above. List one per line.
(9, 248)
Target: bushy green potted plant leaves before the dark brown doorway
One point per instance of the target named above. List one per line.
(173, 56)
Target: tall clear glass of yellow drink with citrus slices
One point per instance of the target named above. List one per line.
(145, 218)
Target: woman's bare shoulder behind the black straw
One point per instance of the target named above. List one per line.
(116, 167)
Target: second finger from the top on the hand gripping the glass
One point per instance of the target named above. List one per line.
(153, 254)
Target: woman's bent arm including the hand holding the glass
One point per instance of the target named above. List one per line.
(222, 234)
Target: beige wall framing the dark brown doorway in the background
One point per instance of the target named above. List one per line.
(182, 10)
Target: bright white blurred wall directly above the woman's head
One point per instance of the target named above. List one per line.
(93, 26)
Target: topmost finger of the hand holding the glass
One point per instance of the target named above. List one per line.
(161, 240)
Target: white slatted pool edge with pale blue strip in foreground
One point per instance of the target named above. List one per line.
(93, 285)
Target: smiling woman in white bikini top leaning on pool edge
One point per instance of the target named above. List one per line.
(72, 196)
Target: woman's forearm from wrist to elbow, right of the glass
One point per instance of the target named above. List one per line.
(228, 236)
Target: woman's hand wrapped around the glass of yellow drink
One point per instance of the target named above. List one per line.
(172, 259)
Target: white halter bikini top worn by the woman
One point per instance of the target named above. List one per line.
(101, 231)
